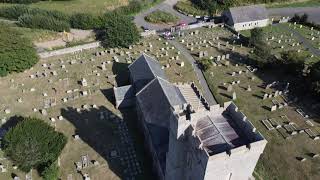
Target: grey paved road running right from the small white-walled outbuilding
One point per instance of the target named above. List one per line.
(313, 12)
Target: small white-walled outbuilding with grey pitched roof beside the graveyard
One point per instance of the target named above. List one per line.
(246, 17)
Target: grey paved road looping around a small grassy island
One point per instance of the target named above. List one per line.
(164, 6)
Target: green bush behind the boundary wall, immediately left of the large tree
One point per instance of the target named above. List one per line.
(84, 21)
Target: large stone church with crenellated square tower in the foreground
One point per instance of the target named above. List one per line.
(186, 138)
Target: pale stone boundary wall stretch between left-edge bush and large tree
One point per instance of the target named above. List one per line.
(69, 50)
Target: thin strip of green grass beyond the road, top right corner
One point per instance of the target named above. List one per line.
(301, 3)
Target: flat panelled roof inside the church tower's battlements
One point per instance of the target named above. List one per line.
(217, 134)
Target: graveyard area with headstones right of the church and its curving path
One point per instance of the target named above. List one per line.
(289, 123)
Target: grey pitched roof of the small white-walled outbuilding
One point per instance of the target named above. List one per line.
(248, 13)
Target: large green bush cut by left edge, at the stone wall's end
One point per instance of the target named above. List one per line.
(16, 53)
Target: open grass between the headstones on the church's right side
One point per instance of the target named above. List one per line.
(279, 160)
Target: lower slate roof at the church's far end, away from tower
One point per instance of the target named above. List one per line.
(145, 68)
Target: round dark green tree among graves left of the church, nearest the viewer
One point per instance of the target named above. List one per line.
(32, 143)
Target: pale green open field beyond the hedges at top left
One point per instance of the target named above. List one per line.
(77, 6)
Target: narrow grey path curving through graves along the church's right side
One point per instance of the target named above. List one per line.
(206, 91)
